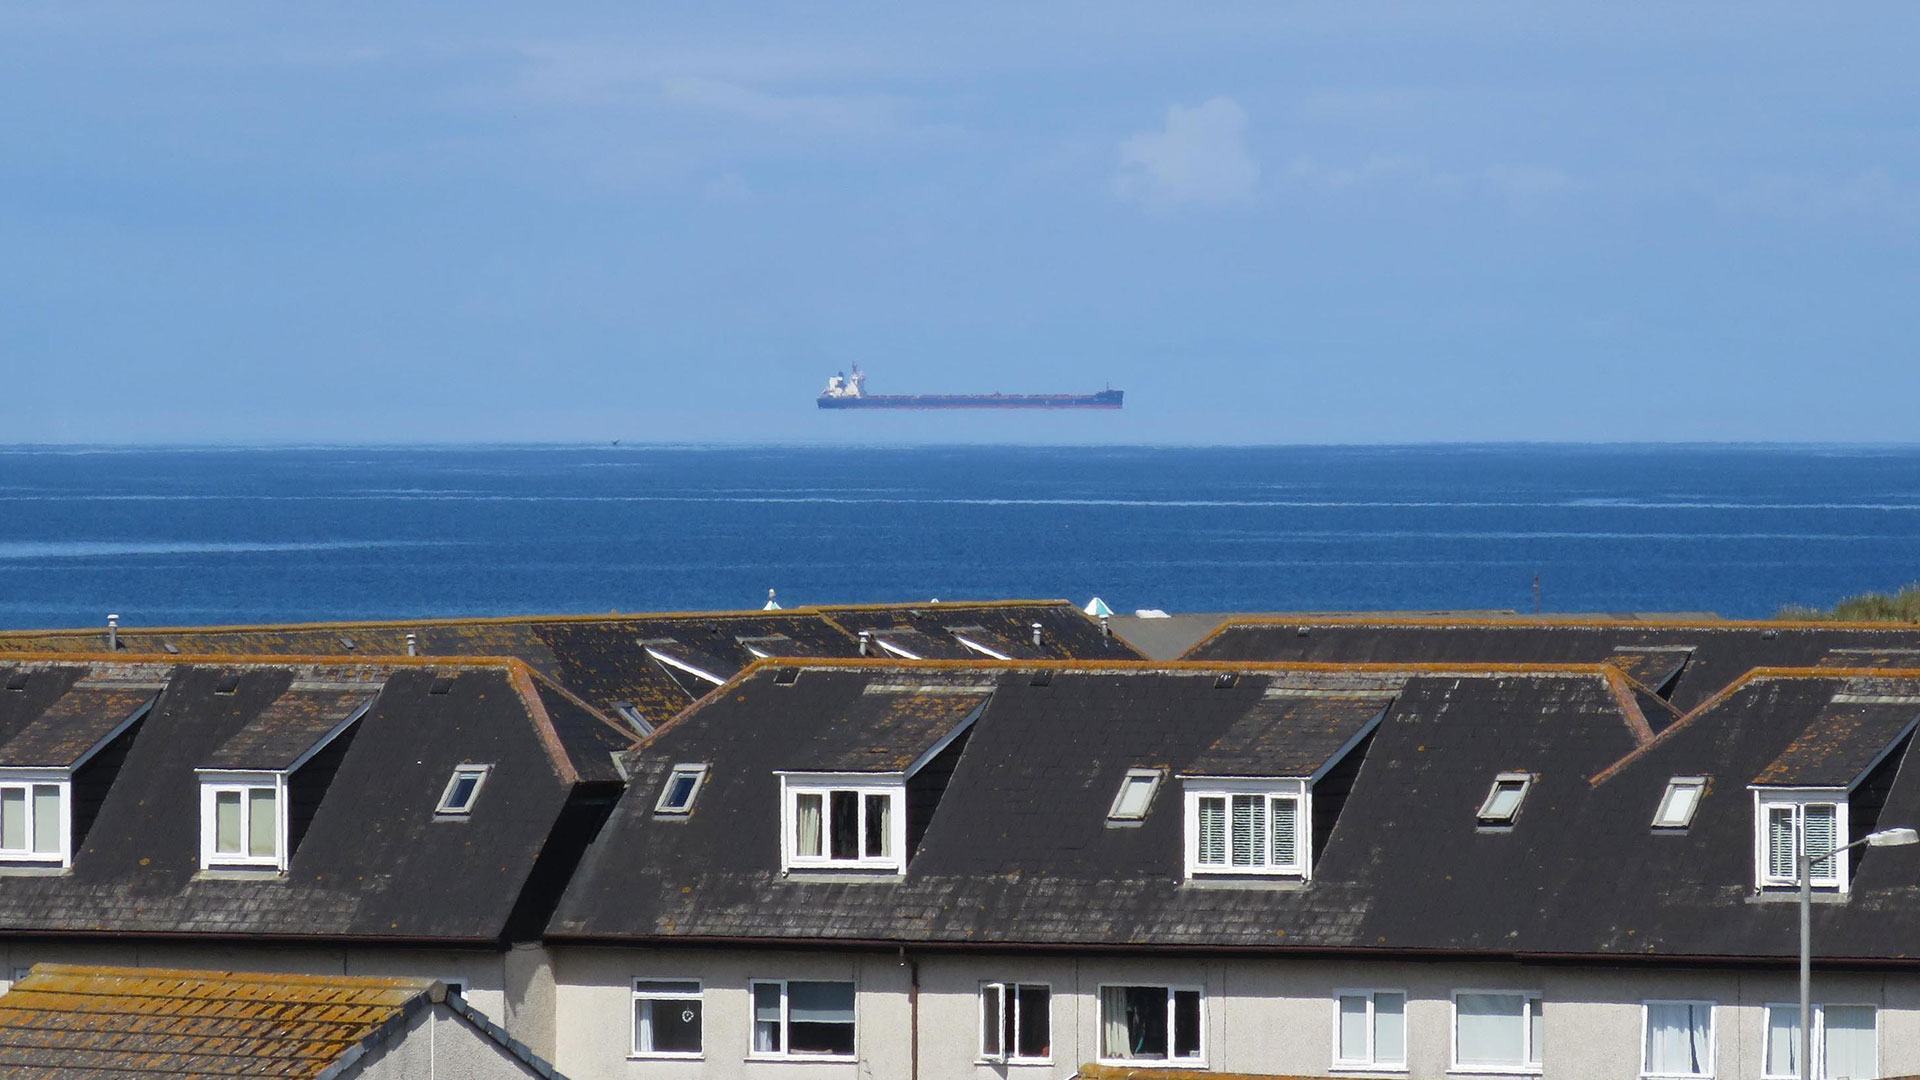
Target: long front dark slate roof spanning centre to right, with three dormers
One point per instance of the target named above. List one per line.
(1019, 854)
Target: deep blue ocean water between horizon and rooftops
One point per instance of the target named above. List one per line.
(170, 537)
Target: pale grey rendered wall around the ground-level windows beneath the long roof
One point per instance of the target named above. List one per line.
(1260, 1016)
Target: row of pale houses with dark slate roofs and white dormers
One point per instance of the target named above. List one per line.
(1433, 848)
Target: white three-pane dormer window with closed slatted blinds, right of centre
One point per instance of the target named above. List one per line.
(1247, 827)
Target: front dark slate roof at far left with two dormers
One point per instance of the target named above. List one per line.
(373, 862)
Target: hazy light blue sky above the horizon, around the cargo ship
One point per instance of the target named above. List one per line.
(1268, 224)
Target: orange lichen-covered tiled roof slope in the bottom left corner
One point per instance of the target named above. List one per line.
(66, 1019)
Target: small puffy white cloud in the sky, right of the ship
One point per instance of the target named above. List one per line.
(1197, 159)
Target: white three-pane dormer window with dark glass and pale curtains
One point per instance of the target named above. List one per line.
(850, 822)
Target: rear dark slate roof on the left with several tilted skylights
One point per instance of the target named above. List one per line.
(604, 658)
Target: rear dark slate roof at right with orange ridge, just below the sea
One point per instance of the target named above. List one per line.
(1712, 654)
